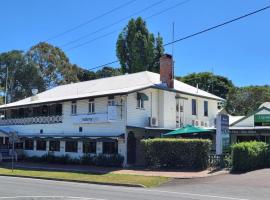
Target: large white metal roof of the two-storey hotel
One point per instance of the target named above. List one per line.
(122, 84)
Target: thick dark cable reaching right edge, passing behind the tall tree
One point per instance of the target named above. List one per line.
(200, 32)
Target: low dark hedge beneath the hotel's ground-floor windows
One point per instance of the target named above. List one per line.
(86, 159)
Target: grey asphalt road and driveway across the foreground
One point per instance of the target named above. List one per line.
(253, 185)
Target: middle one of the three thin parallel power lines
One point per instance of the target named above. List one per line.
(112, 24)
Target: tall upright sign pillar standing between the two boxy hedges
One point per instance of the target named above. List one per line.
(222, 133)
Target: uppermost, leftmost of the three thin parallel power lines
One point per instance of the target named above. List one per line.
(90, 21)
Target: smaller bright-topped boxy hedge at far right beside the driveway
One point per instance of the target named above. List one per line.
(247, 156)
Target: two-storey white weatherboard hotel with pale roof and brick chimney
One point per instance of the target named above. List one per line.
(108, 115)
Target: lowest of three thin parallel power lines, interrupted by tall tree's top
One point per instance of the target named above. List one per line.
(112, 32)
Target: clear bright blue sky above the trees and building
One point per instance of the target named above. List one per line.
(240, 51)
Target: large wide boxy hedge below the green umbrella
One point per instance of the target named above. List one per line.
(180, 153)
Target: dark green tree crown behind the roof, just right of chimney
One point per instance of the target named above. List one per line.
(218, 85)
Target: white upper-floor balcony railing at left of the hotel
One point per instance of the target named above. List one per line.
(32, 120)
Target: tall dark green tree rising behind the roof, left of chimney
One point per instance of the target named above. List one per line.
(137, 49)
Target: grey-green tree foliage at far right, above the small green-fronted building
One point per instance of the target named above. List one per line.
(245, 100)
